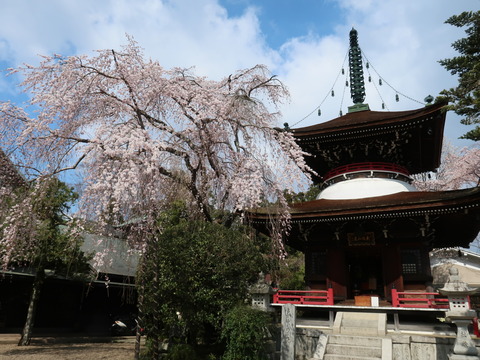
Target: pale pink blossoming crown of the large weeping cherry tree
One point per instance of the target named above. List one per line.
(139, 135)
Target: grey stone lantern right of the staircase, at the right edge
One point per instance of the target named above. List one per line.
(461, 315)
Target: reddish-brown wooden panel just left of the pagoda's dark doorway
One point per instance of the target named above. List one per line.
(337, 272)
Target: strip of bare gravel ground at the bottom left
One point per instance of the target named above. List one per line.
(123, 350)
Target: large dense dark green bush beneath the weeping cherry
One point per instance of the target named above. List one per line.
(194, 272)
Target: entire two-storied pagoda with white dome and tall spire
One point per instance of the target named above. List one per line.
(370, 231)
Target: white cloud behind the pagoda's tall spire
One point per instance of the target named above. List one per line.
(403, 40)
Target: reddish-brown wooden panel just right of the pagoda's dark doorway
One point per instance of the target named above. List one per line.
(392, 269)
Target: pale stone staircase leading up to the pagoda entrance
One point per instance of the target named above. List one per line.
(356, 336)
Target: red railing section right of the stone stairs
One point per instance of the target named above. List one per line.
(407, 299)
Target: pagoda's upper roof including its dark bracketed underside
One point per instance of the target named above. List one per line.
(412, 139)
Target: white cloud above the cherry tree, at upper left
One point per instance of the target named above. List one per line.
(177, 33)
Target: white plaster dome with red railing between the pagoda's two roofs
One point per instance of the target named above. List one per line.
(365, 181)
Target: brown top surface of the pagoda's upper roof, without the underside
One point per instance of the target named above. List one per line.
(358, 122)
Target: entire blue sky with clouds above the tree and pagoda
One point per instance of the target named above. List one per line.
(304, 42)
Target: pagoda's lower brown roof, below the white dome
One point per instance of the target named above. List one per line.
(454, 214)
